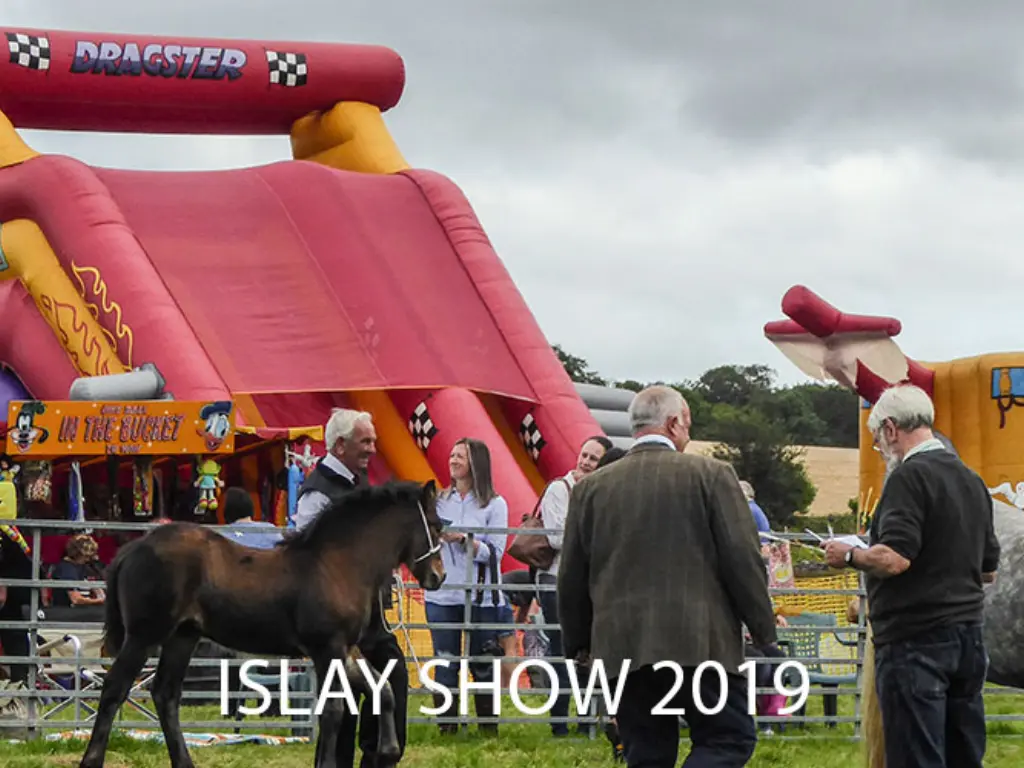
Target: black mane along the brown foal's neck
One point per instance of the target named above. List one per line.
(342, 520)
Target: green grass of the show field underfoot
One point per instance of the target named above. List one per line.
(517, 747)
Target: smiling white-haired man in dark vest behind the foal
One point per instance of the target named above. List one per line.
(352, 441)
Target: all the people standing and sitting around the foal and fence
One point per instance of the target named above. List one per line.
(657, 558)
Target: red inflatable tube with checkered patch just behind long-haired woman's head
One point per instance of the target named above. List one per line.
(444, 416)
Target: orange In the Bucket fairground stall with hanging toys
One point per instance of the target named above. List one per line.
(139, 461)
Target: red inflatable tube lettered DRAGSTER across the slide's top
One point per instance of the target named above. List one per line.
(144, 84)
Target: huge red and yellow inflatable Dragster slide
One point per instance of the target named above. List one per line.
(337, 277)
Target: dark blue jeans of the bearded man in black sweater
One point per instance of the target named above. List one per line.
(930, 696)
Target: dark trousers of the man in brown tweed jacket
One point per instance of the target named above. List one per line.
(723, 741)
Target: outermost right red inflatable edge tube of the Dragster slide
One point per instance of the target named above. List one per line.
(562, 423)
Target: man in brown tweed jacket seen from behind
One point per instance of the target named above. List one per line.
(661, 563)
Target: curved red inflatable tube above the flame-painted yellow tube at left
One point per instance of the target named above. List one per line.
(81, 222)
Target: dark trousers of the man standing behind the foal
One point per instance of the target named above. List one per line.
(378, 651)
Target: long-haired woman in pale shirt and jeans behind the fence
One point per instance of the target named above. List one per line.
(470, 502)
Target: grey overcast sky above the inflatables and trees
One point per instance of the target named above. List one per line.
(656, 176)
